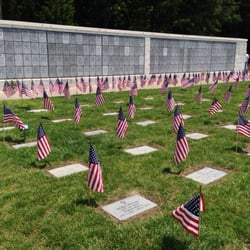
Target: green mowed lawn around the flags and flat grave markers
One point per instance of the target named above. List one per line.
(39, 211)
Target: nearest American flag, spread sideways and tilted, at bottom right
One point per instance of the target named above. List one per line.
(188, 214)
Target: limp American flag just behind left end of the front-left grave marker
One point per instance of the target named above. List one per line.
(43, 146)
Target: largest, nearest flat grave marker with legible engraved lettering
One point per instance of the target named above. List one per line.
(128, 207)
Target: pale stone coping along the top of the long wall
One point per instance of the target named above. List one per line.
(90, 30)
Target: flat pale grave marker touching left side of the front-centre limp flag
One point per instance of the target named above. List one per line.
(68, 170)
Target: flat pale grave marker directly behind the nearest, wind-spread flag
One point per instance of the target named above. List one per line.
(206, 175)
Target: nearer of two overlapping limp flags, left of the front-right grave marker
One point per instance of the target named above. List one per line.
(181, 146)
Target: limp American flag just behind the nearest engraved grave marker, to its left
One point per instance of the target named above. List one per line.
(95, 180)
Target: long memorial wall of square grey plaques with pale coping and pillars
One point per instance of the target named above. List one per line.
(33, 50)
